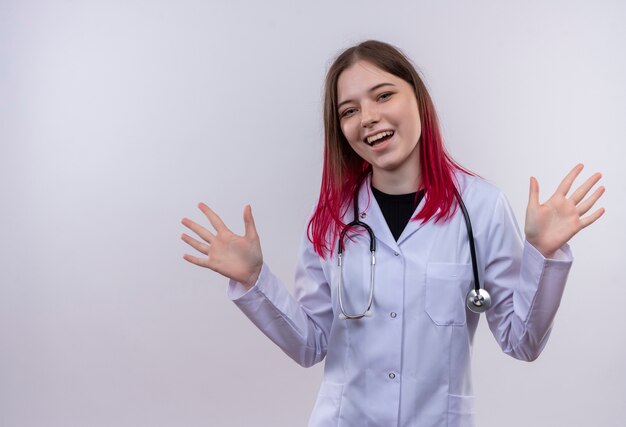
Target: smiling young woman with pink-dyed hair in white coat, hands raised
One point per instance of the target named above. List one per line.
(393, 325)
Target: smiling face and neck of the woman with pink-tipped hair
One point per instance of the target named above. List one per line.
(379, 118)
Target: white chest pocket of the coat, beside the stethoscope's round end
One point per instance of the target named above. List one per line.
(446, 287)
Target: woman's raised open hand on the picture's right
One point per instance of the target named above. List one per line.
(551, 224)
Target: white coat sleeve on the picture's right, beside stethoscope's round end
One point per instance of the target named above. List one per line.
(525, 287)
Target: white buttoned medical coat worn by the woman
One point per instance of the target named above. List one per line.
(409, 364)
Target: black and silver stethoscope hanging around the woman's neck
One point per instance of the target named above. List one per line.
(478, 300)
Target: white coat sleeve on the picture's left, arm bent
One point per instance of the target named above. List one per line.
(299, 326)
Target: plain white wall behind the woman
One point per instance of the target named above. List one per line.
(117, 117)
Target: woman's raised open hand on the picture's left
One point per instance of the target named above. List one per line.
(236, 257)
